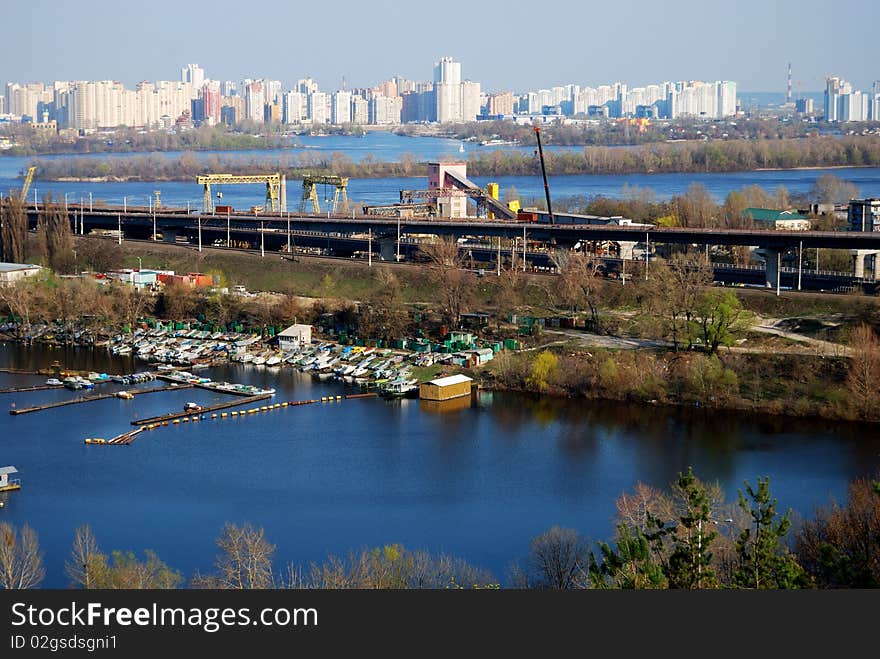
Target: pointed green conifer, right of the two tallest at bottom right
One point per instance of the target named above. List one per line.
(764, 561)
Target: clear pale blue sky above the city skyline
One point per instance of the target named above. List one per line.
(504, 45)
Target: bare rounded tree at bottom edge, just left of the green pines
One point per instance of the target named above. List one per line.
(559, 560)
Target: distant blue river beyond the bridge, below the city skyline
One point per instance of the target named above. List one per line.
(387, 146)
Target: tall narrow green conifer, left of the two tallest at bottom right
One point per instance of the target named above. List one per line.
(690, 565)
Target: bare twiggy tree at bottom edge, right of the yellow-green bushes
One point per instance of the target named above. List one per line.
(244, 561)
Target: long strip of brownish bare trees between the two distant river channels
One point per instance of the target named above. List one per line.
(656, 158)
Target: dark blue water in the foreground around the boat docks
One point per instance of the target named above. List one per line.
(477, 482)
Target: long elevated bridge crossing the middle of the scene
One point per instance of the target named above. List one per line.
(388, 230)
